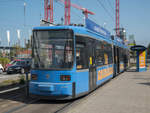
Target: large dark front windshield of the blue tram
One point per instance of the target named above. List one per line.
(52, 49)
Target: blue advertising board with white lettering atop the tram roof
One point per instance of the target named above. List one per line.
(96, 28)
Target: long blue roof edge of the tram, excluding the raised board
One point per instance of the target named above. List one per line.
(78, 30)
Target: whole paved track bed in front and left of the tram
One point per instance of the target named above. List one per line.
(15, 102)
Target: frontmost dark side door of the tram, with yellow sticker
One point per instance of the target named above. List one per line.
(92, 67)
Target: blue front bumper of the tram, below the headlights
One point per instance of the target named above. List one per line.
(50, 89)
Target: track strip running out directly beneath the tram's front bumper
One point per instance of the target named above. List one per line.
(38, 106)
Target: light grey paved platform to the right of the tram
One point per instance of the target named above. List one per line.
(127, 93)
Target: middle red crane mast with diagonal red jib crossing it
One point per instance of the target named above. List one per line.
(68, 4)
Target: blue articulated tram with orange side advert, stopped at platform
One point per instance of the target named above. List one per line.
(71, 61)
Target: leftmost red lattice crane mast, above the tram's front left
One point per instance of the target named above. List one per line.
(48, 10)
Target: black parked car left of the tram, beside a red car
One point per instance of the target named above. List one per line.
(19, 66)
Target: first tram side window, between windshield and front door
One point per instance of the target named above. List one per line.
(81, 54)
